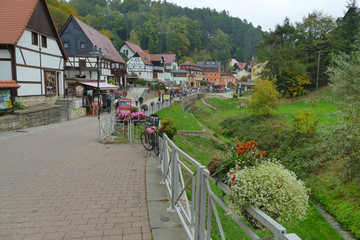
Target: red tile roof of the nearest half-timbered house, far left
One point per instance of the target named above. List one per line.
(14, 17)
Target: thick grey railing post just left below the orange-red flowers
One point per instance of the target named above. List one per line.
(200, 211)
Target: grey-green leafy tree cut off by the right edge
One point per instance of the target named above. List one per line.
(345, 85)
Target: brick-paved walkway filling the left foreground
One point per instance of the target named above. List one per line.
(58, 183)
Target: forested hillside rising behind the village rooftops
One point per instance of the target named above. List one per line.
(162, 27)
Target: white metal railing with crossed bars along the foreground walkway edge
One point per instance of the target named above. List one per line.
(196, 214)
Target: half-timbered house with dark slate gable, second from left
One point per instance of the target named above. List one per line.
(92, 56)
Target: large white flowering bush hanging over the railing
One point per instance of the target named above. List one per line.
(269, 187)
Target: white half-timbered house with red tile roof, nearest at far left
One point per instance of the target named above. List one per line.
(31, 53)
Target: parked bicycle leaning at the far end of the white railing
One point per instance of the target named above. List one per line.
(149, 137)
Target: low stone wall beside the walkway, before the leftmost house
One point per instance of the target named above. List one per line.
(33, 116)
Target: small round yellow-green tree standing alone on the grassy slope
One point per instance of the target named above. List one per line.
(264, 99)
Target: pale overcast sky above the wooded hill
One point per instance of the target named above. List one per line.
(269, 13)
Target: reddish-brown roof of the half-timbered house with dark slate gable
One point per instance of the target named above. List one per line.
(98, 39)
